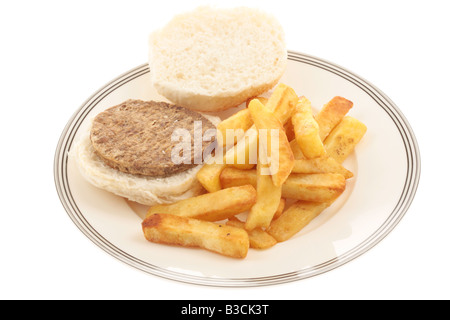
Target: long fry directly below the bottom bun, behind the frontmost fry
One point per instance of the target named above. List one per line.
(213, 206)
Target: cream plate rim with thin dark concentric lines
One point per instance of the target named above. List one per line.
(411, 183)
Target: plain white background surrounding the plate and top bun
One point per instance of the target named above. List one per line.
(55, 54)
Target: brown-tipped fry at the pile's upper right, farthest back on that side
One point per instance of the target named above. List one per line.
(331, 114)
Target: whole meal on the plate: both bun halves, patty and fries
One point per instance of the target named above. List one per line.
(193, 167)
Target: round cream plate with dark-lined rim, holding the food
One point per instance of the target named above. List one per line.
(386, 164)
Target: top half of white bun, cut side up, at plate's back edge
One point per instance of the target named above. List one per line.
(214, 59)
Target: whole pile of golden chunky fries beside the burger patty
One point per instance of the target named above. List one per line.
(298, 175)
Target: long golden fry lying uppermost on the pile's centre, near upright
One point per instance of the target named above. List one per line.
(278, 151)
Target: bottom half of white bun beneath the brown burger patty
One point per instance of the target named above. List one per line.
(141, 189)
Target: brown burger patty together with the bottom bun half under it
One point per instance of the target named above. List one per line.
(127, 151)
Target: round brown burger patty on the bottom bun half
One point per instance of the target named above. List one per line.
(135, 136)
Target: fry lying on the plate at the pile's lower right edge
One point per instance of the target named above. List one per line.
(294, 219)
